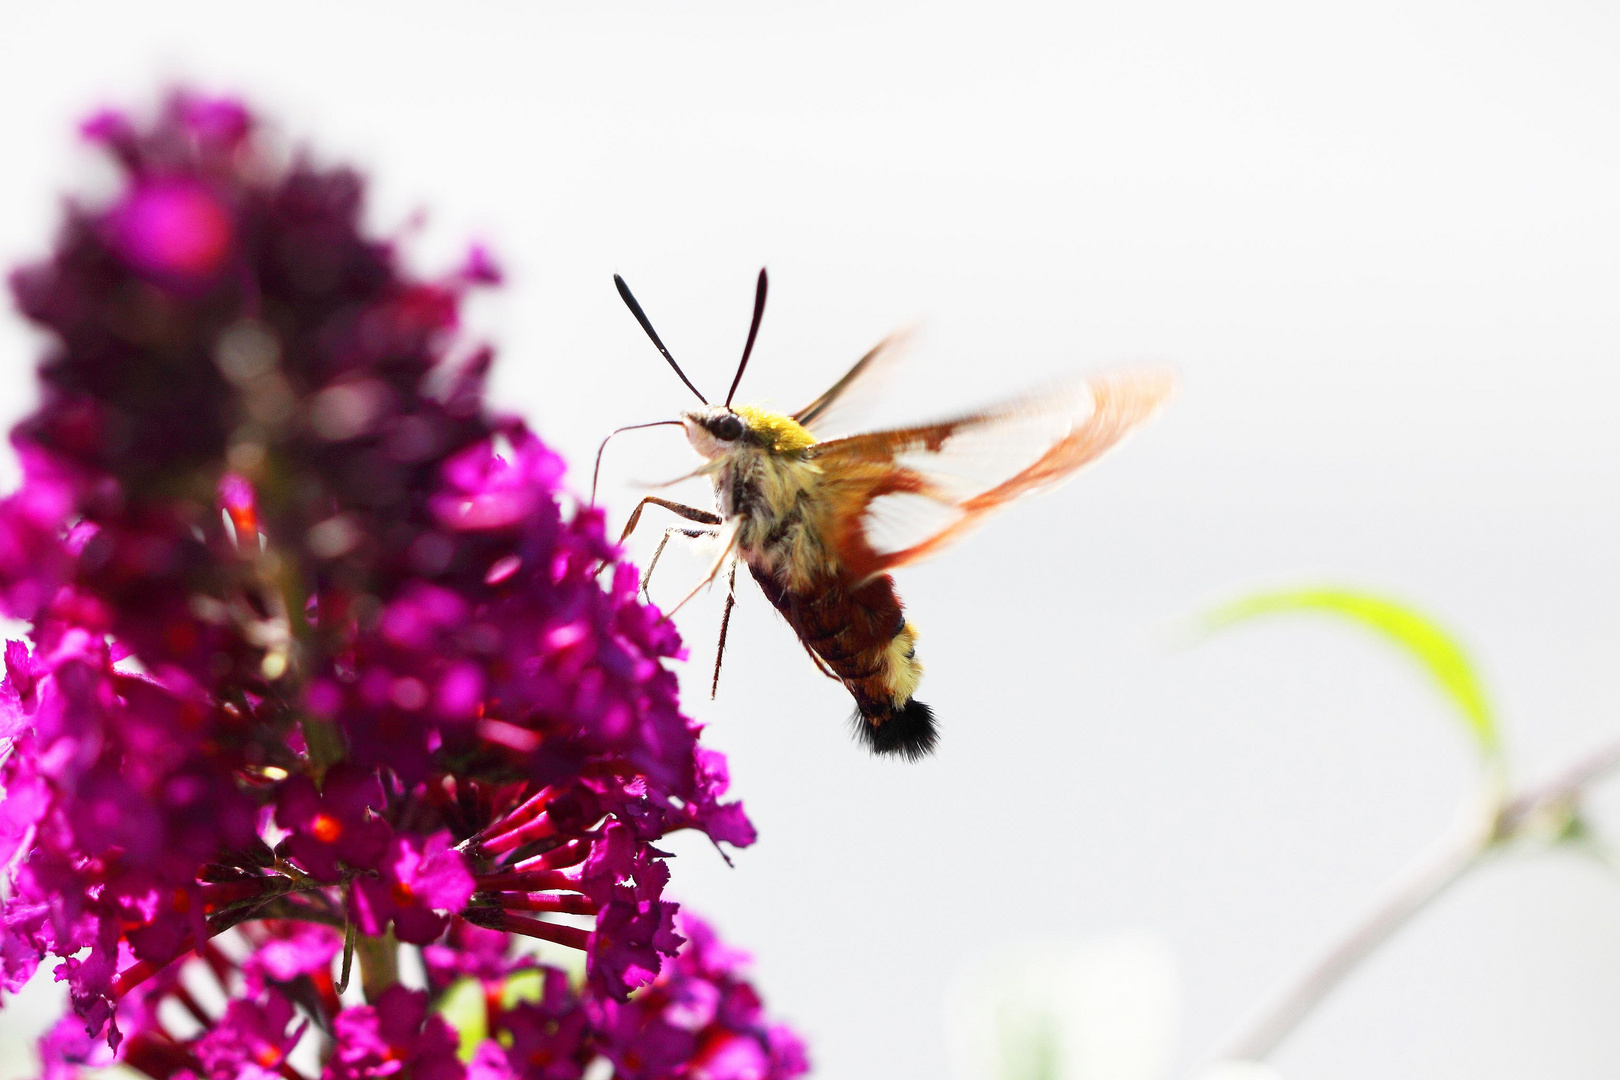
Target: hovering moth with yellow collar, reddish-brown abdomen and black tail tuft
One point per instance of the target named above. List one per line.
(821, 524)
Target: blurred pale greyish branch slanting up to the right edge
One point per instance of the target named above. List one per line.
(1501, 823)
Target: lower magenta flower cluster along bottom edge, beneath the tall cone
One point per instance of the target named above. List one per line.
(519, 1019)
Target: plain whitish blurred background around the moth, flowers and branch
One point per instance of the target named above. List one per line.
(1379, 240)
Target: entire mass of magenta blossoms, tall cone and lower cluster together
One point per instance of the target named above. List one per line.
(318, 663)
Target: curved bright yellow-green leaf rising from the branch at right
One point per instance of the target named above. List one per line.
(1417, 636)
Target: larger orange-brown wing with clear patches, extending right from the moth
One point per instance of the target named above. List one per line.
(908, 493)
